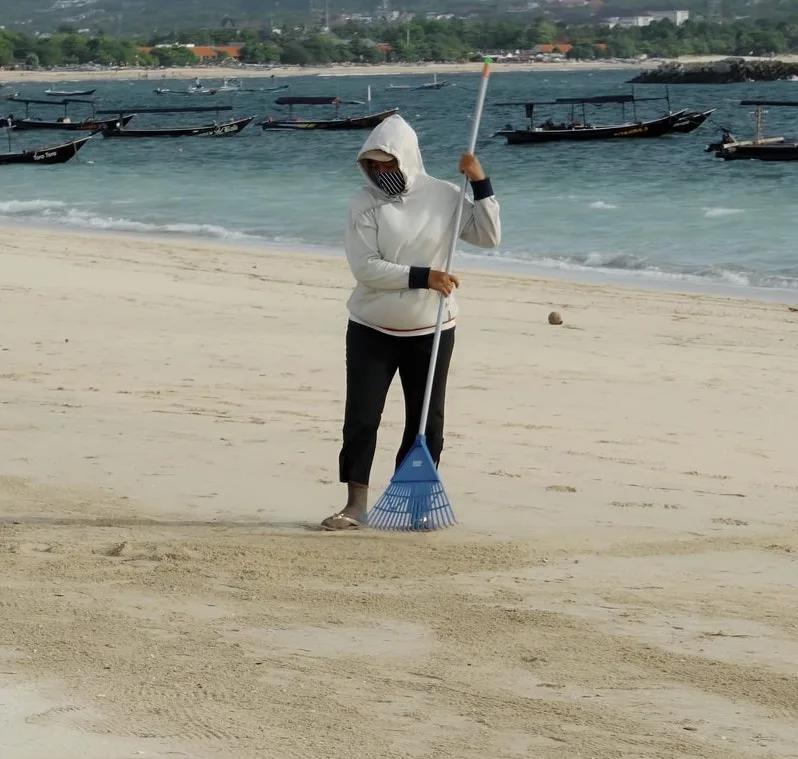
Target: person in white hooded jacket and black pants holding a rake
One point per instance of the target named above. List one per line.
(397, 242)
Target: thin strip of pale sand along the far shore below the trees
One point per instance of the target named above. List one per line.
(384, 69)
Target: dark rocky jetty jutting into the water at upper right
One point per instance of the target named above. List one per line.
(727, 71)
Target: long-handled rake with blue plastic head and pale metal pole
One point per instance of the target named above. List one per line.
(415, 499)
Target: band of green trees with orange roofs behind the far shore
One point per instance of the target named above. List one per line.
(419, 40)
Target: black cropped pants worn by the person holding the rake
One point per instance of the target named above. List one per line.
(372, 360)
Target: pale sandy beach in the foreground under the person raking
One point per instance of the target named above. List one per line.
(622, 583)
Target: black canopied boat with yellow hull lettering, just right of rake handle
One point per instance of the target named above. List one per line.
(575, 130)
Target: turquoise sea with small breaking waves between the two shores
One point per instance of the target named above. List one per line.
(661, 212)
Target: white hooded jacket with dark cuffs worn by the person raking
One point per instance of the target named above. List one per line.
(387, 235)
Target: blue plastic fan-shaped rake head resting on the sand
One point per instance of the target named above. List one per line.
(415, 500)
